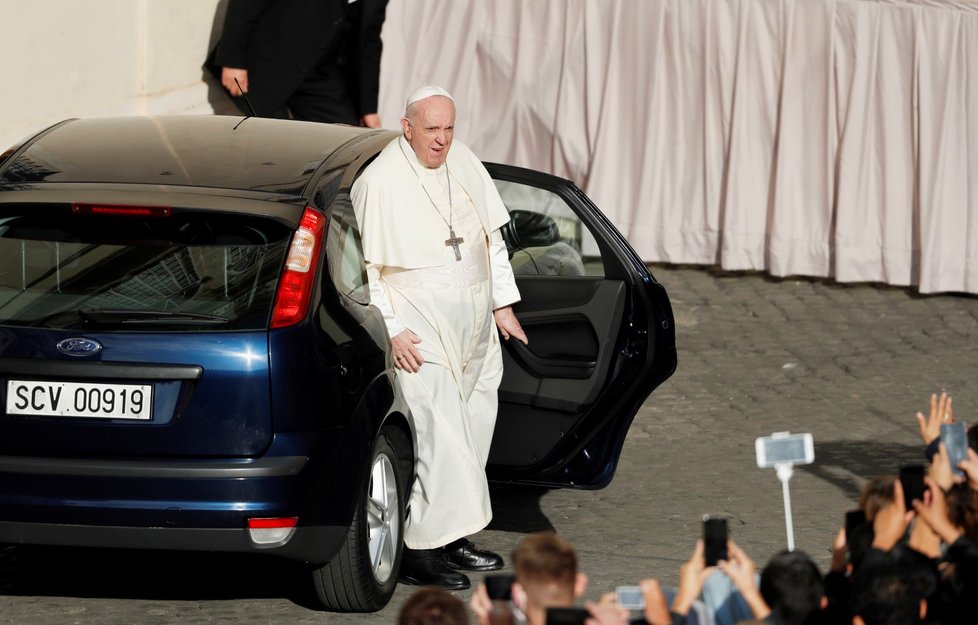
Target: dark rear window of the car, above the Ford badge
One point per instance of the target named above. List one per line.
(182, 270)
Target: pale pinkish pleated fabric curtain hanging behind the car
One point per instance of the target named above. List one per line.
(801, 137)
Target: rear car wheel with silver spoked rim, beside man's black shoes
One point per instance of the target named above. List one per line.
(362, 576)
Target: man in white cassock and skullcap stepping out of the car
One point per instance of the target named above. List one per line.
(437, 268)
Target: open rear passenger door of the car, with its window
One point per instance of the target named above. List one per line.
(601, 337)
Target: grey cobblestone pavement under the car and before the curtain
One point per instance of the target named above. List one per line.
(850, 364)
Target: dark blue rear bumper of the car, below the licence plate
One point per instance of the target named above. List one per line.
(185, 504)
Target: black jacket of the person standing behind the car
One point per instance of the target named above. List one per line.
(280, 41)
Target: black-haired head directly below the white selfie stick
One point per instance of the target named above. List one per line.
(792, 587)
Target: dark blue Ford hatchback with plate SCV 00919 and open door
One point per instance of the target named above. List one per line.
(189, 358)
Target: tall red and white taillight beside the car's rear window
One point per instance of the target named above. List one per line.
(297, 282)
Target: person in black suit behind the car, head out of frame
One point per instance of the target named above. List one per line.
(316, 60)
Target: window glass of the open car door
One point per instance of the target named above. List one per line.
(545, 236)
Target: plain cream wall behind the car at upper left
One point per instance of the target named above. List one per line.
(89, 58)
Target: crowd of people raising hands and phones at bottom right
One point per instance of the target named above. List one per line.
(897, 561)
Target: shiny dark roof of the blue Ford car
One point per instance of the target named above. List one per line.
(253, 154)
